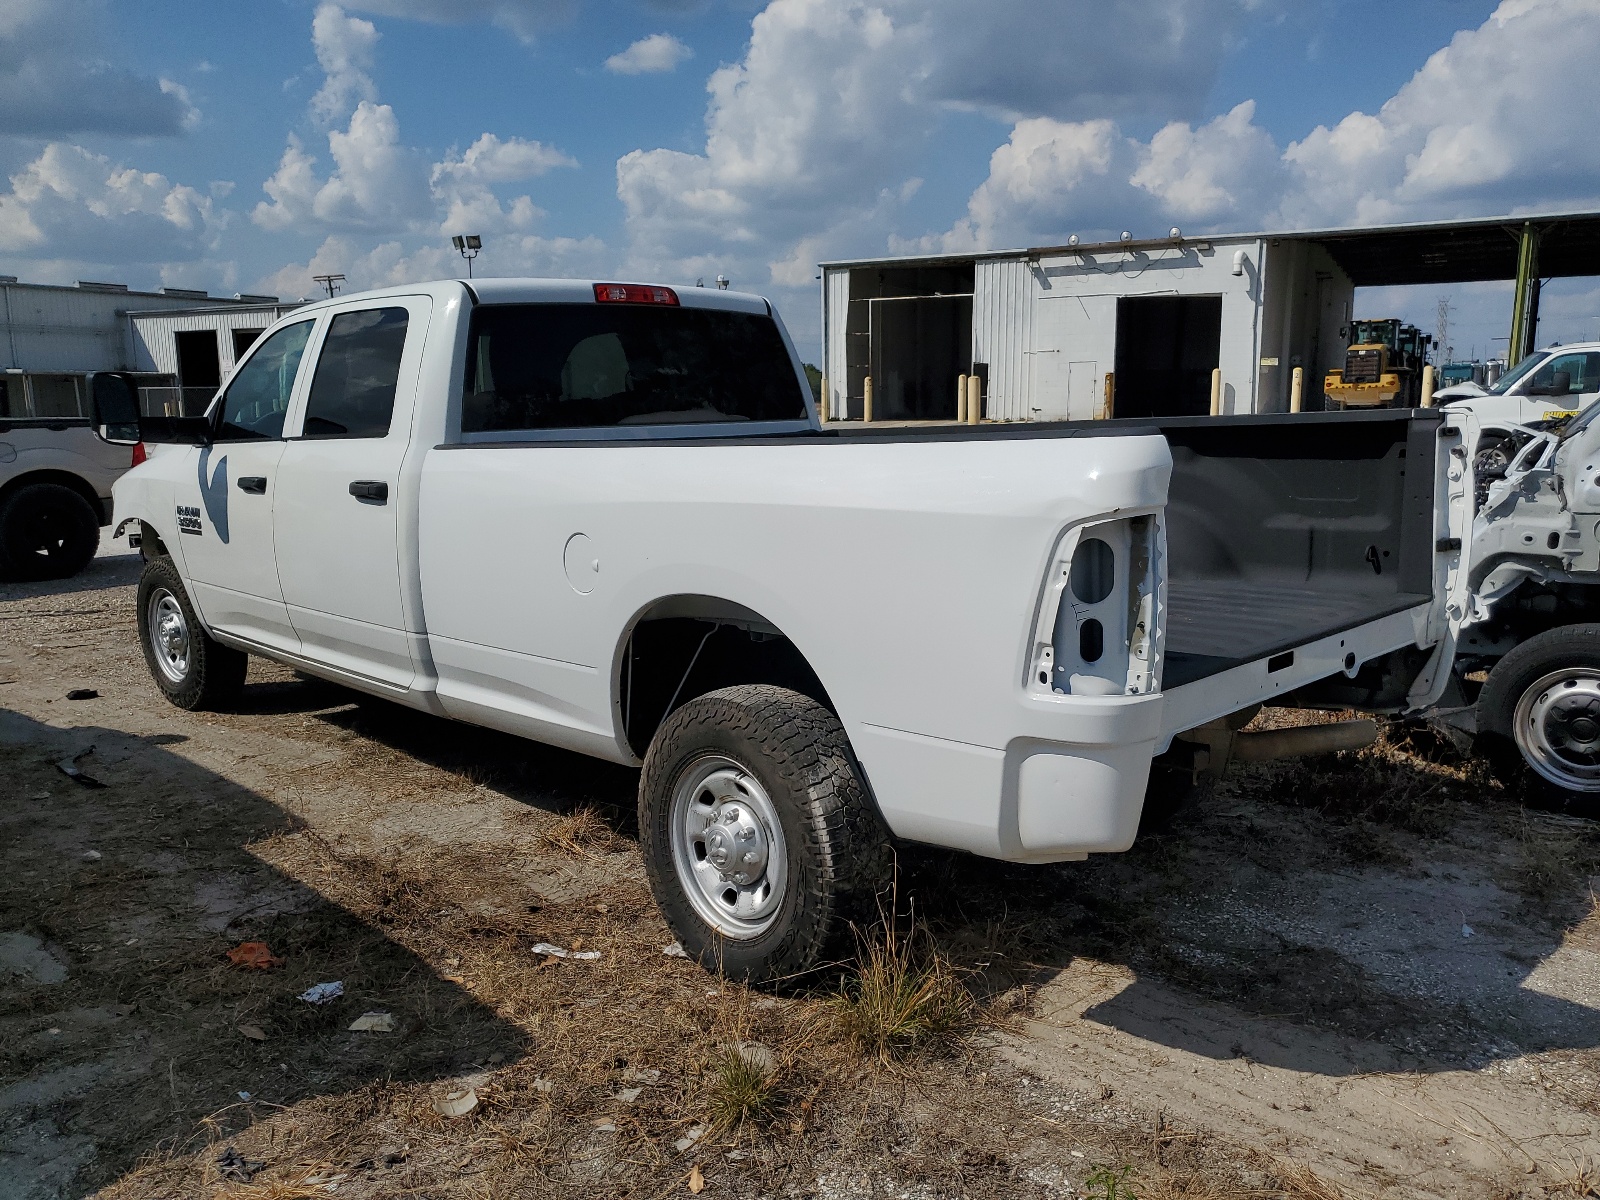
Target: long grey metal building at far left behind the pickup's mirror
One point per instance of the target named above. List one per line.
(52, 337)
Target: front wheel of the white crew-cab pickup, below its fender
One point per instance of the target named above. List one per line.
(206, 676)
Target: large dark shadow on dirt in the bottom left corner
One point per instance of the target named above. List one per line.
(122, 1025)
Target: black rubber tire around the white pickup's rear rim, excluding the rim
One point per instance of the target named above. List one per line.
(838, 852)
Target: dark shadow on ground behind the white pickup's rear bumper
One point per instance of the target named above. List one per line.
(1292, 900)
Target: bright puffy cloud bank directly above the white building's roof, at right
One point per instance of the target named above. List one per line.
(1479, 130)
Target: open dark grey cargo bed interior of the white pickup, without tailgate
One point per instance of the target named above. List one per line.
(1282, 530)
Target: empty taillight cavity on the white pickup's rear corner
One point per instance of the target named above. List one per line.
(1100, 620)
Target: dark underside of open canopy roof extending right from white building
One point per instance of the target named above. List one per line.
(1463, 252)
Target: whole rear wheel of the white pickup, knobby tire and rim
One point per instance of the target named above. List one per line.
(761, 842)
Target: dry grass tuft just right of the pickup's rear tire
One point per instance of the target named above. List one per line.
(905, 996)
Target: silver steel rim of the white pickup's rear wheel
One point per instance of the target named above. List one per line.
(729, 847)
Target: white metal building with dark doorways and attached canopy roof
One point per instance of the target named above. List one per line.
(1140, 327)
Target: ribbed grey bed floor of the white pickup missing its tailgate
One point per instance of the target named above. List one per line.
(1214, 625)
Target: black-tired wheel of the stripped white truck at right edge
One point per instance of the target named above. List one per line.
(1545, 700)
